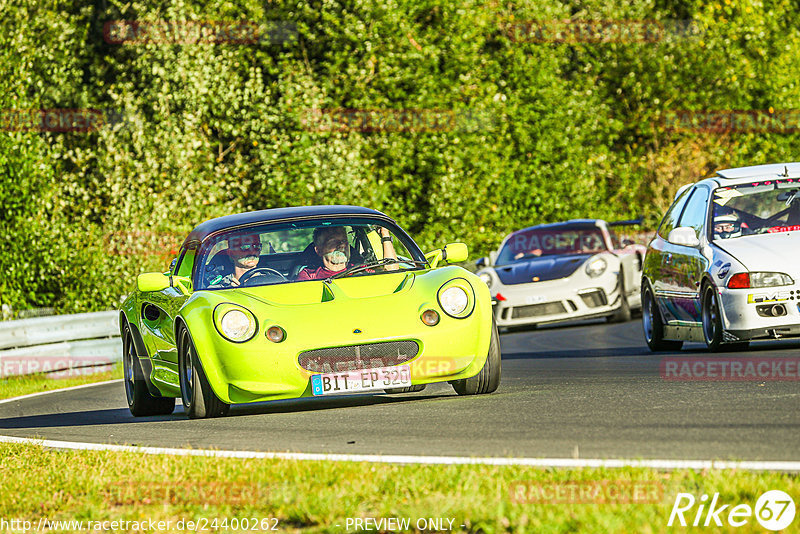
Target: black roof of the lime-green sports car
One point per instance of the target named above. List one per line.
(203, 230)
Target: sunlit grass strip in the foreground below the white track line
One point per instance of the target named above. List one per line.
(322, 496)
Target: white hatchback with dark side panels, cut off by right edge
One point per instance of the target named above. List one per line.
(724, 267)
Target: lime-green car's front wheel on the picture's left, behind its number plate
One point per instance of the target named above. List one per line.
(199, 400)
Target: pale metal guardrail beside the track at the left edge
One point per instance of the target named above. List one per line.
(61, 344)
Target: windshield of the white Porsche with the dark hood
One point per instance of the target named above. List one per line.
(551, 242)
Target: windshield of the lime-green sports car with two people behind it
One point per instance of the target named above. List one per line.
(280, 253)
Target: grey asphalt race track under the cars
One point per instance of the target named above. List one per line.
(587, 391)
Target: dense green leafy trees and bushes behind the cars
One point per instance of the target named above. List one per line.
(542, 131)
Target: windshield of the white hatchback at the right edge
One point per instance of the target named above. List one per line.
(756, 208)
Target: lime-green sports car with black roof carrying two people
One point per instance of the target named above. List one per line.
(303, 302)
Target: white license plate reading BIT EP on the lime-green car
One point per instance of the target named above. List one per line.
(361, 380)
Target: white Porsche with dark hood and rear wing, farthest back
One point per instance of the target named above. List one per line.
(563, 271)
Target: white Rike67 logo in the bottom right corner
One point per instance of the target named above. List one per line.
(774, 510)
